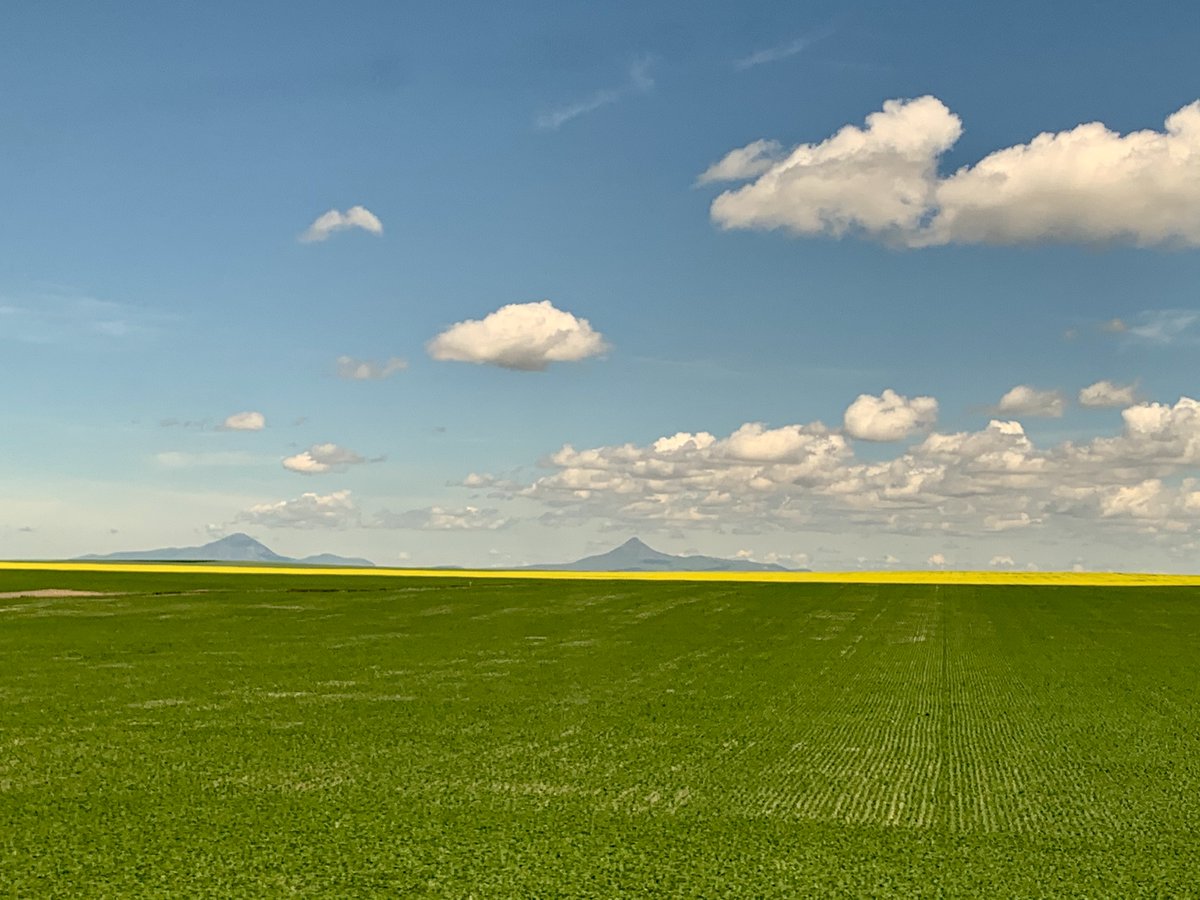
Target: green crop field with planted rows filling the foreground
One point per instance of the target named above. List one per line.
(260, 736)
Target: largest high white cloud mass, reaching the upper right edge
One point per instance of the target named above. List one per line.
(1085, 185)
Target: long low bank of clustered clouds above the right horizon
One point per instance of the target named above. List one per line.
(799, 478)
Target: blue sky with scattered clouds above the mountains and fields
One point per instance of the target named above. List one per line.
(867, 285)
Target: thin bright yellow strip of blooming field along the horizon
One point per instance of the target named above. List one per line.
(770, 578)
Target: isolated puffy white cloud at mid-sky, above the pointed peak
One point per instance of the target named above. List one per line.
(521, 337)
